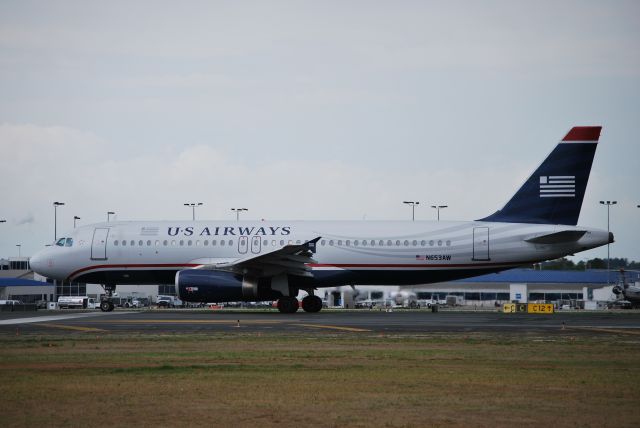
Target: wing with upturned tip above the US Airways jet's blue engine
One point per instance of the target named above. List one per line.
(291, 259)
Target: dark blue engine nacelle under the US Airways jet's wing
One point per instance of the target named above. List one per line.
(200, 285)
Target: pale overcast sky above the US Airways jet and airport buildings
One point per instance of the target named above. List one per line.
(308, 110)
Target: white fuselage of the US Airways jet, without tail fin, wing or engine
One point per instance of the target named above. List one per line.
(348, 252)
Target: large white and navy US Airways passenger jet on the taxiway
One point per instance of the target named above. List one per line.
(221, 261)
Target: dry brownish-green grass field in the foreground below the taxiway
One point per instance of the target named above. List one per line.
(328, 380)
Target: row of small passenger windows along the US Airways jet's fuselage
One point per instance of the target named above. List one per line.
(339, 242)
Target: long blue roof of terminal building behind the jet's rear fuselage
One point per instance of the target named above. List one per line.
(546, 276)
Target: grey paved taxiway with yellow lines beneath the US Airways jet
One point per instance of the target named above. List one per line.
(347, 322)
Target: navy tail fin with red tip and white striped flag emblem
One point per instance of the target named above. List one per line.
(554, 193)
